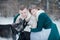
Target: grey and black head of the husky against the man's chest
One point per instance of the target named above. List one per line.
(19, 26)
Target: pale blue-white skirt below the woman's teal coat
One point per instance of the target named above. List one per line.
(42, 35)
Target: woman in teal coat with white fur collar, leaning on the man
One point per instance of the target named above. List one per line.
(43, 21)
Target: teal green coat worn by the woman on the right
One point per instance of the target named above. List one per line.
(45, 22)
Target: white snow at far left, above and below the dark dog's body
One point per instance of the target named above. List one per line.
(5, 21)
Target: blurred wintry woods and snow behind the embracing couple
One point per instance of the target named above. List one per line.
(9, 8)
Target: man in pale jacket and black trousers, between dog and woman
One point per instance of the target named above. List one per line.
(31, 23)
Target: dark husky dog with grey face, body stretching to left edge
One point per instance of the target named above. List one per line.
(5, 29)
